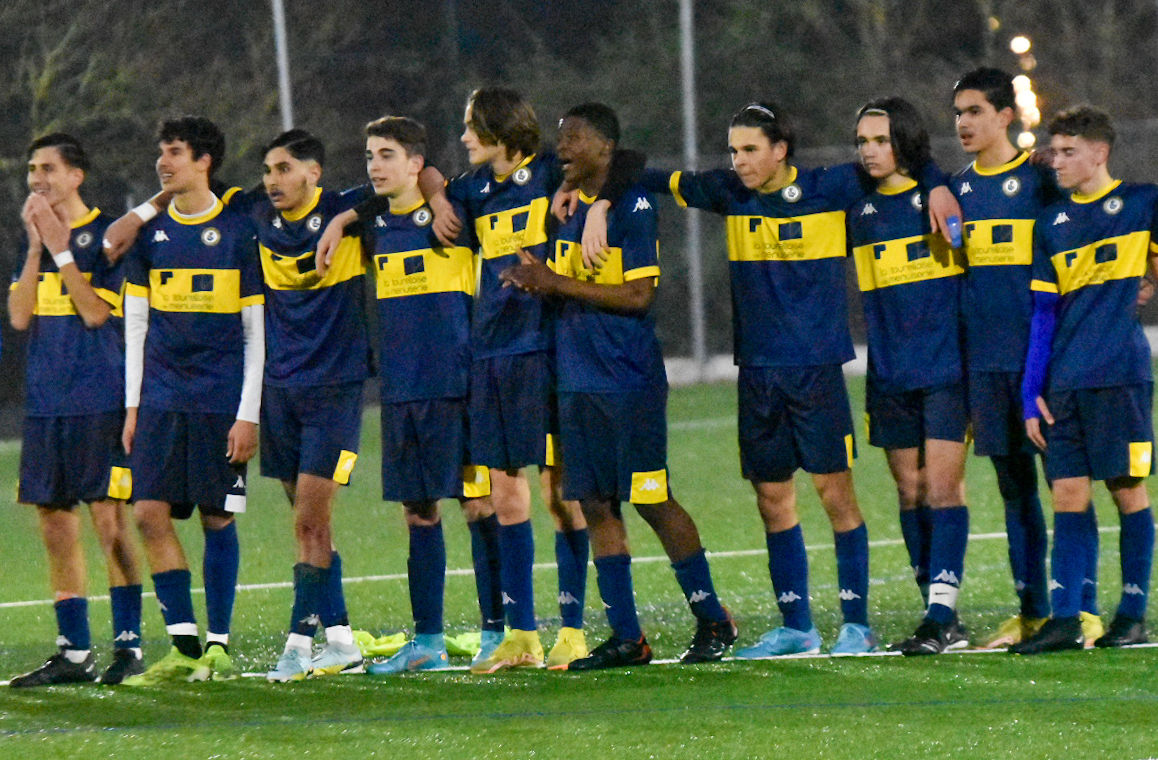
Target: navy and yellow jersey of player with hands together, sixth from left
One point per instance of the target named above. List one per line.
(599, 350)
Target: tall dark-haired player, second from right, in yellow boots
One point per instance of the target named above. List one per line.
(1002, 192)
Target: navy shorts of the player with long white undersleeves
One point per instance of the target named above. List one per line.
(179, 457)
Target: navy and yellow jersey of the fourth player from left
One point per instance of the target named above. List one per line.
(424, 302)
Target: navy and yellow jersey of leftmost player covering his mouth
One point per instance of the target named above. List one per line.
(74, 370)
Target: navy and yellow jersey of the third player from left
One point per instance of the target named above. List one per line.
(316, 327)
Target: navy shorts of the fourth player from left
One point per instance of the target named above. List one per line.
(424, 450)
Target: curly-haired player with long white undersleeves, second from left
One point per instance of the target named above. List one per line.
(195, 354)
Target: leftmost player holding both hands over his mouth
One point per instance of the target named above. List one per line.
(68, 297)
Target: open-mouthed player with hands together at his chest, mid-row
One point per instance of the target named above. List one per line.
(613, 398)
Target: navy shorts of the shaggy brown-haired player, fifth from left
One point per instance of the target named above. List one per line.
(509, 411)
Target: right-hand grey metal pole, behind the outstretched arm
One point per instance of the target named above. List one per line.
(691, 160)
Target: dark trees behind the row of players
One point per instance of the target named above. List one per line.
(108, 71)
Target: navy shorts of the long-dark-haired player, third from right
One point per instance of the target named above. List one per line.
(908, 419)
